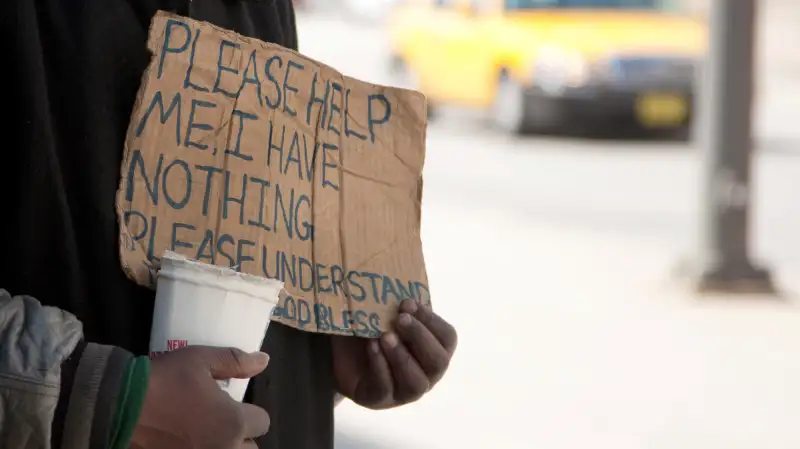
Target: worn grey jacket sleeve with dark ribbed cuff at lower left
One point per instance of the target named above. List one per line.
(56, 391)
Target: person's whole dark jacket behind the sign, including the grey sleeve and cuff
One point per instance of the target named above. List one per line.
(71, 73)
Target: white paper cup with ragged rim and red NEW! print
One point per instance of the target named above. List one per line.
(201, 304)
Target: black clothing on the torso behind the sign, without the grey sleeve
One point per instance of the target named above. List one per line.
(70, 83)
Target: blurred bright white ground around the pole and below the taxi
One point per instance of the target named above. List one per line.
(553, 257)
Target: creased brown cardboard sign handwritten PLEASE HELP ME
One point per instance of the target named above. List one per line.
(245, 154)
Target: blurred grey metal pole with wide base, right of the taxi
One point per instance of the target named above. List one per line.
(725, 136)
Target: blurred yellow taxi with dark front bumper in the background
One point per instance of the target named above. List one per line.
(546, 65)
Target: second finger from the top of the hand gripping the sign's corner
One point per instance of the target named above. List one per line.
(432, 357)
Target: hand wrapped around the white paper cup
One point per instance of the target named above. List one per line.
(186, 409)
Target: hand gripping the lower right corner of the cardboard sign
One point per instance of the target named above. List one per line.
(399, 367)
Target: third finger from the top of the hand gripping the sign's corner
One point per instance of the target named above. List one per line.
(410, 381)
